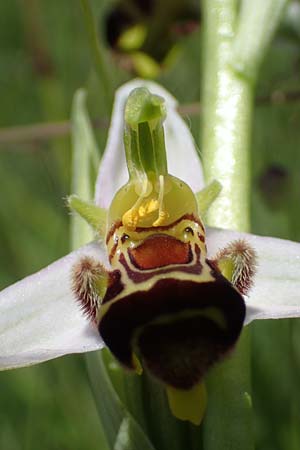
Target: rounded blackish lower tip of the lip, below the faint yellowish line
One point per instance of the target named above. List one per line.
(185, 353)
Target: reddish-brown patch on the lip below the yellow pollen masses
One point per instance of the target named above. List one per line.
(158, 251)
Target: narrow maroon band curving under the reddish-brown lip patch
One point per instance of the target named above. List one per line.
(139, 277)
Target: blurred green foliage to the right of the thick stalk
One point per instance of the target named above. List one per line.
(275, 211)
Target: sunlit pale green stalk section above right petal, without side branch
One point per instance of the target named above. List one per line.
(227, 106)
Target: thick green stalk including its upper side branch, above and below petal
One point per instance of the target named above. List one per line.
(234, 45)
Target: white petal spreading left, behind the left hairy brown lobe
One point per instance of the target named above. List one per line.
(40, 318)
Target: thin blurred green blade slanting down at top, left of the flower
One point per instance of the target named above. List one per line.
(98, 53)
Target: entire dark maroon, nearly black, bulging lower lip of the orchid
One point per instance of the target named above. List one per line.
(178, 352)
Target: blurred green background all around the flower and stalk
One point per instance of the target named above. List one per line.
(44, 58)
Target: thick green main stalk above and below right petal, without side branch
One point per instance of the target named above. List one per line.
(227, 102)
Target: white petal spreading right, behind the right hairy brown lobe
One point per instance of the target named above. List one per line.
(276, 289)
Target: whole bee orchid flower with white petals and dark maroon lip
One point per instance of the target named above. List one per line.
(138, 284)
